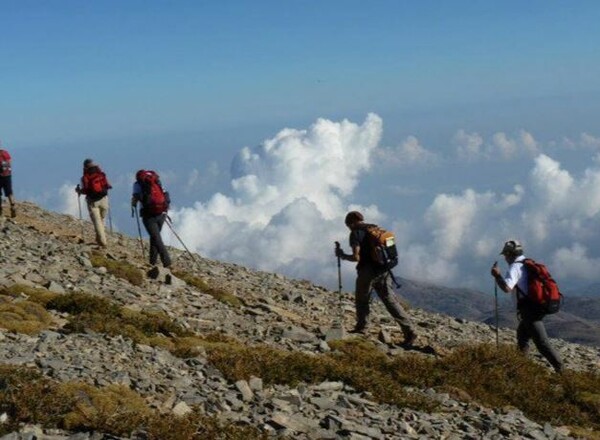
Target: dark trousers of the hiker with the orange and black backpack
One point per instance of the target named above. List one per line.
(368, 278)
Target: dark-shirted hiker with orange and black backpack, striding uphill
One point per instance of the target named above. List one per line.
(374, 262)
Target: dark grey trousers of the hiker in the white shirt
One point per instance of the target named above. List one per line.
(531, 327)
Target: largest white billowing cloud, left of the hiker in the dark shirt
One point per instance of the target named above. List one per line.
(287, 201)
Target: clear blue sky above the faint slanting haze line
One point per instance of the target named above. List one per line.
(86, 70)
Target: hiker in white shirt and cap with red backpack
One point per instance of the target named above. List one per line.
(537, 296)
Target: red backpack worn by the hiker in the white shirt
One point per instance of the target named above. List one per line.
(542, 290)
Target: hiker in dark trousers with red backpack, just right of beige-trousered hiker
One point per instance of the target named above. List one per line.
(155, 201)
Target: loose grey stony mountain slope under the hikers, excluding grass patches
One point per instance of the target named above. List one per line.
(42, 254)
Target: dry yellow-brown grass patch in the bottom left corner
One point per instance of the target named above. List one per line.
(28, 397)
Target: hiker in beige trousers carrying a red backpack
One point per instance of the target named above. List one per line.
(95, 186)
